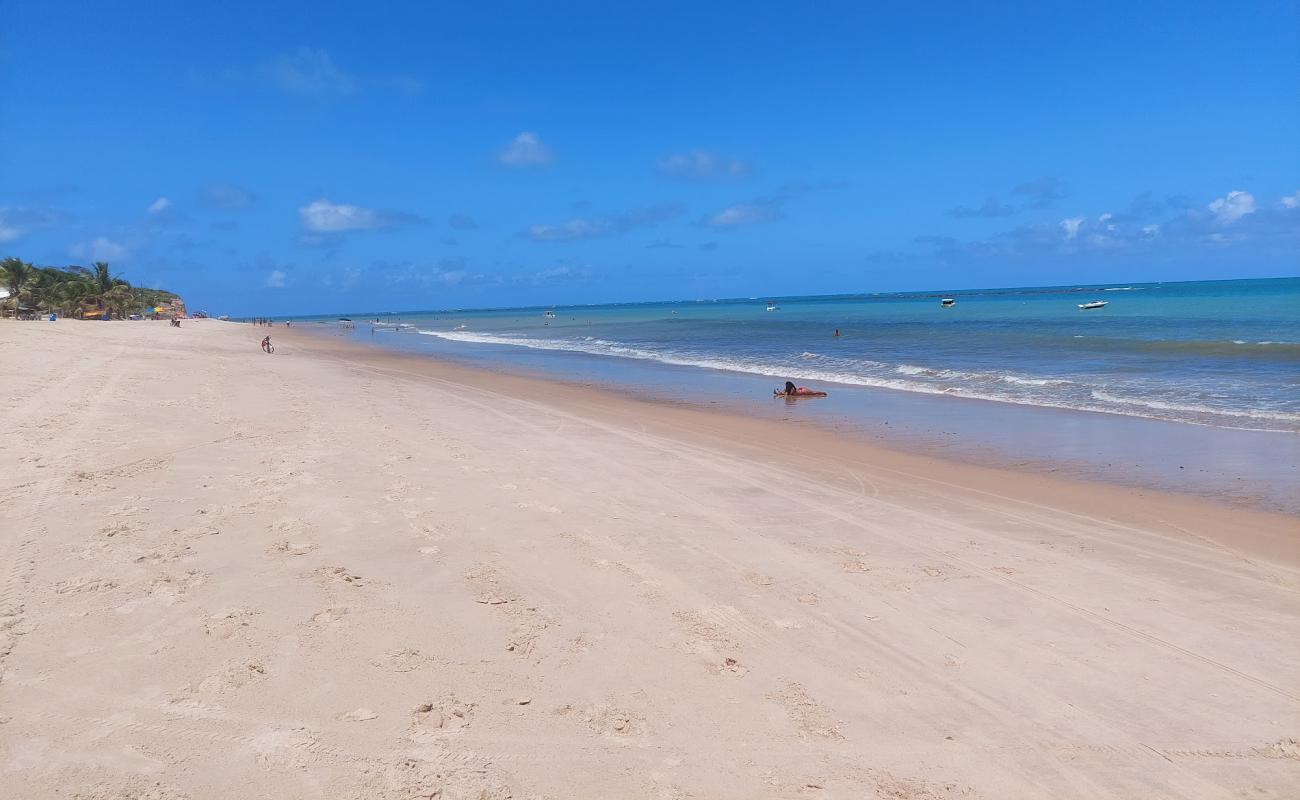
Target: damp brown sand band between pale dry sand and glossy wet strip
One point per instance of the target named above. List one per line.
(1264, 533)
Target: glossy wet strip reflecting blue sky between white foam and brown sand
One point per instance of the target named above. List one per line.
(1247, 468)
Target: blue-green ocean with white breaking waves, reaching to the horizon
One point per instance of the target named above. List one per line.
(1215, 353)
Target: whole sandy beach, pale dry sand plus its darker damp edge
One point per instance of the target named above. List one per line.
(340, 573)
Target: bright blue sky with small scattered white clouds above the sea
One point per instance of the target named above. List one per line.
(317, 158)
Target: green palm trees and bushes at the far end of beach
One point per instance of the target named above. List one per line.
(73, 291)
